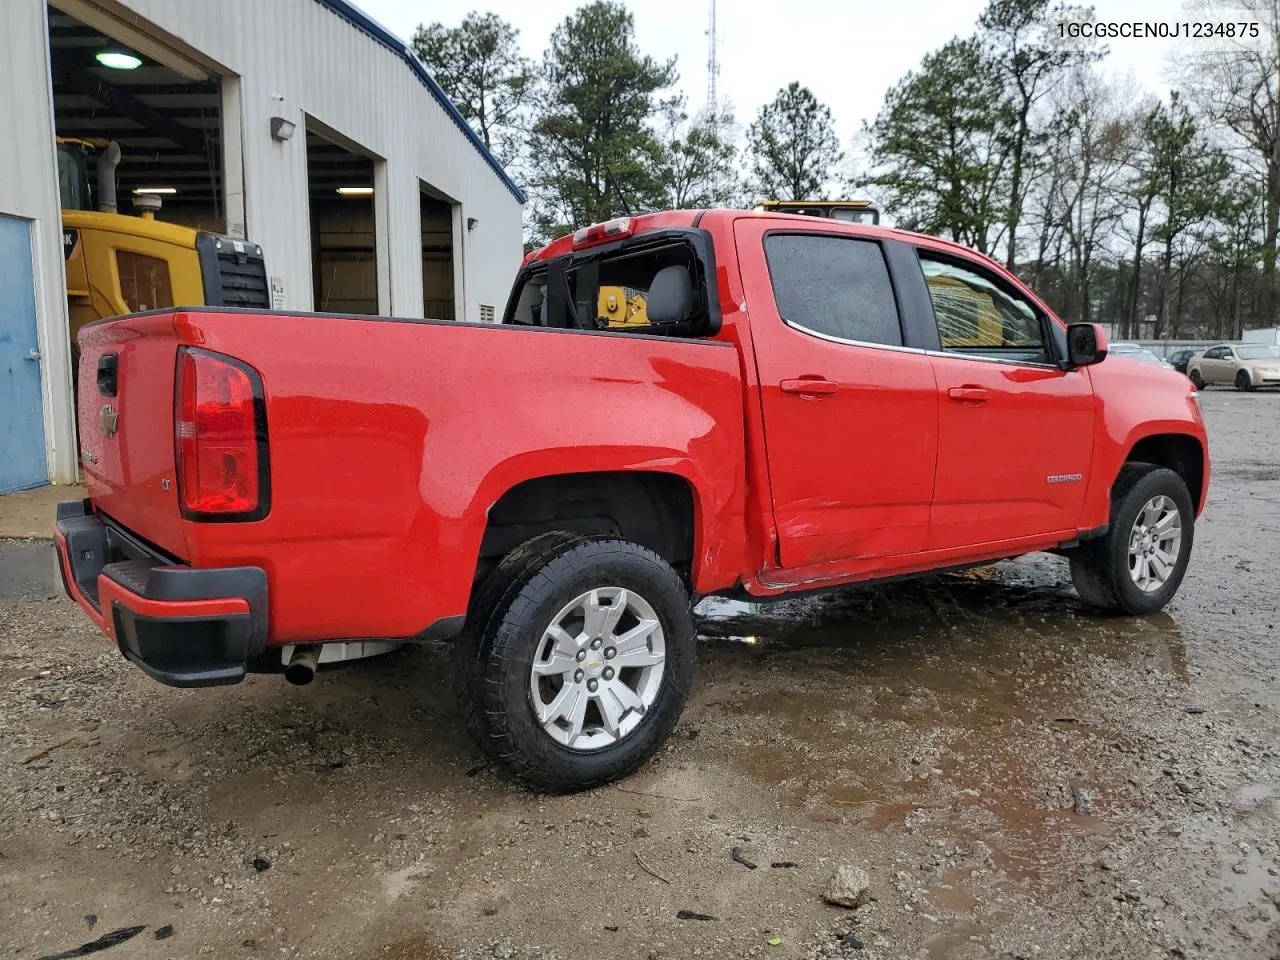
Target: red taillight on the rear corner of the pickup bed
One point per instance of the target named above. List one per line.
(221, 438)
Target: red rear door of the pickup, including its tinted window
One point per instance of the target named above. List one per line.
(851, 417)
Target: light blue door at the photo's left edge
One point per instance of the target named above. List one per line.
(22, 420)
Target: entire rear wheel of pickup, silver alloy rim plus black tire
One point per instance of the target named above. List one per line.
(583, 664)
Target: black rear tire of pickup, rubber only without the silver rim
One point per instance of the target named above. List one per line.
(506, 628)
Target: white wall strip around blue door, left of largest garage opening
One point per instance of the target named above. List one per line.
(29, 189)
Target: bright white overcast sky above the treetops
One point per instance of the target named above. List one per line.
(848, 52)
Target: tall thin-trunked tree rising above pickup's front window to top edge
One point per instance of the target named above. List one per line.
(1018, 40)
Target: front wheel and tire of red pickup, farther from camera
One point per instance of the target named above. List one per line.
(1140, 564)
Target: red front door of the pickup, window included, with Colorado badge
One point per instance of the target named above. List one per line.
(1016, 431)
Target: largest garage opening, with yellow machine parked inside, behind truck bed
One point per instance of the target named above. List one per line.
(143, 173)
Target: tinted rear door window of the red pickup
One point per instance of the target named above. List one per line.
(834, 286)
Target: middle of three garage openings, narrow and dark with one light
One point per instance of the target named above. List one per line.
(344, 228)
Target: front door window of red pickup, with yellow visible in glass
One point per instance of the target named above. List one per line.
(979, 317)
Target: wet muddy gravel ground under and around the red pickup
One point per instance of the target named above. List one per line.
(1018, 776)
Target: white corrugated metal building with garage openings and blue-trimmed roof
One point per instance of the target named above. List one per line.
(301, 126)
